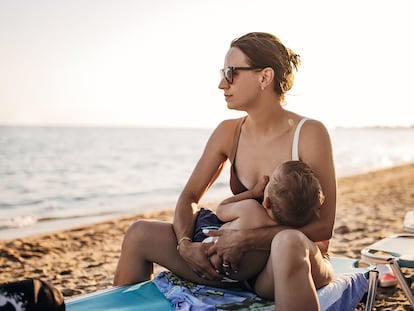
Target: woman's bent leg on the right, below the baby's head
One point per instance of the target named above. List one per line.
(294, 271)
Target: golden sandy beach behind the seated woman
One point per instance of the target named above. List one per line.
(370, 207)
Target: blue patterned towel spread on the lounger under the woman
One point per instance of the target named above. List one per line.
(343, 293)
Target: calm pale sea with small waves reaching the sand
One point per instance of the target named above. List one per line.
(54, 178)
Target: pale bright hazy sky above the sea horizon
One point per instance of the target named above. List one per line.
(156, 62)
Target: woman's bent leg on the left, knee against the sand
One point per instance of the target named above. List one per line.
(148, 242)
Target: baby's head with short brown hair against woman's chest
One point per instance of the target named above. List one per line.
(294, 194)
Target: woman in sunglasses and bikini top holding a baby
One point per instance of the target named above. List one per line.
(258, 71)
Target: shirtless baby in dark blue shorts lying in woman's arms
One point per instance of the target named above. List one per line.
(292, 196)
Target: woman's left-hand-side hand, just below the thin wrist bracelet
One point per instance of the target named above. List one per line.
(195, 254)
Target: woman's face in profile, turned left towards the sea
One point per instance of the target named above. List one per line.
(246, 83)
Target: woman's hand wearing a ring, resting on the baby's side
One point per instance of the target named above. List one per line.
(227, 245)
